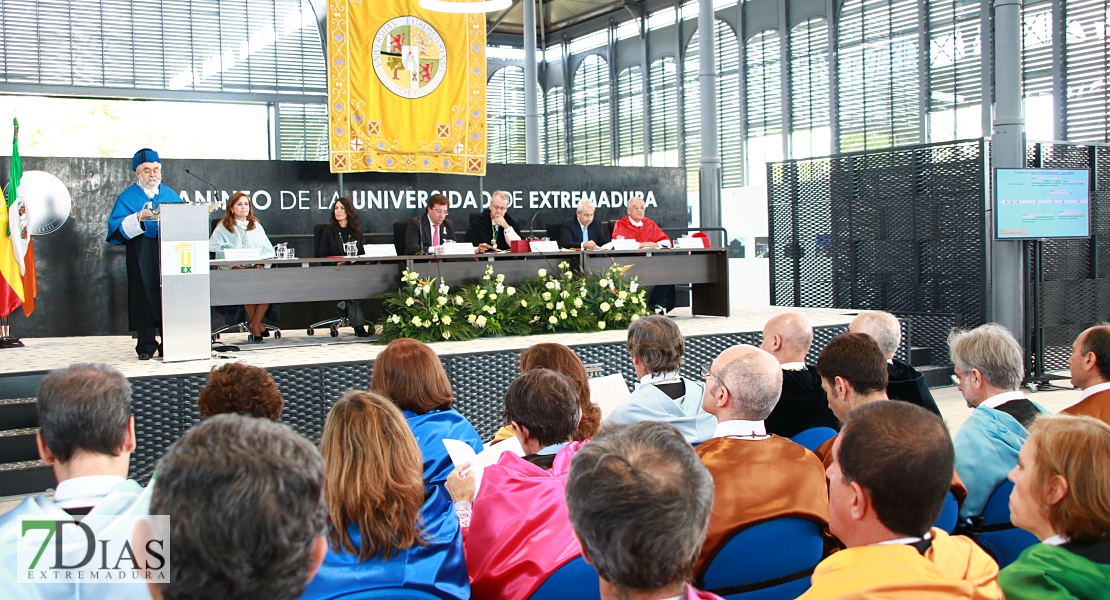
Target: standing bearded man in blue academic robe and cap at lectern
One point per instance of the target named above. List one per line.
(132, 226)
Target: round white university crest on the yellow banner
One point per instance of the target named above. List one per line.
(410, 57)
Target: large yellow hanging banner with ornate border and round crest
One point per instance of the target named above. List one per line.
(407, 88)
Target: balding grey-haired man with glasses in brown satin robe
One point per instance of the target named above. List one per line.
(756, 476)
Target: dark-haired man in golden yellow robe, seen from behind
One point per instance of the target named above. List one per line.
(892, 469)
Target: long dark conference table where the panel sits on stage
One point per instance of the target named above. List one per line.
(316, 280)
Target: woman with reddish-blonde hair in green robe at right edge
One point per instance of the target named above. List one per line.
(1062, 494)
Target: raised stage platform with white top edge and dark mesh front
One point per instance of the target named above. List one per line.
(312, 372)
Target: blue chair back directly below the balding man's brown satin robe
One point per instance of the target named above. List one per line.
(772, 561)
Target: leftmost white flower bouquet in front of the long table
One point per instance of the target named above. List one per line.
(423, 310)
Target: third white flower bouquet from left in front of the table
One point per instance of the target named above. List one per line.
(556, 302)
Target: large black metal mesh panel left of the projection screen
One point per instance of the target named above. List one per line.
(900, 230)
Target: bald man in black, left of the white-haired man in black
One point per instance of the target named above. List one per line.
(802, 406)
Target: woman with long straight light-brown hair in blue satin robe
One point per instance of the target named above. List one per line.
(382, 531)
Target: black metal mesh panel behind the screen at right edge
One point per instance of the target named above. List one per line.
(1074, 292)
